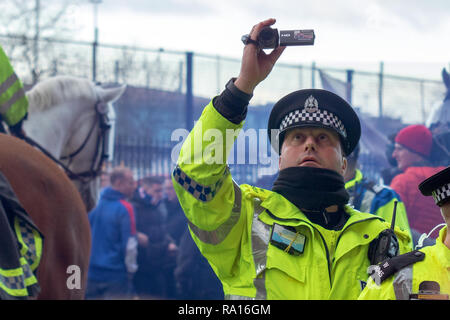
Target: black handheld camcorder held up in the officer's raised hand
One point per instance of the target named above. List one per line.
(269, 38)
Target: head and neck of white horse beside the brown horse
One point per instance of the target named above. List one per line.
(73, 119)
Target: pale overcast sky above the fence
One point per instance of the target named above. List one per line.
(412, 37)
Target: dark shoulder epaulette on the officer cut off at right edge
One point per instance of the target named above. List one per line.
(390, 266)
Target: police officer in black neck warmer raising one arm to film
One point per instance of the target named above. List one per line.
(299, 240)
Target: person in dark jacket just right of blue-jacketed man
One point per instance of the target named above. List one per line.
(156, 254)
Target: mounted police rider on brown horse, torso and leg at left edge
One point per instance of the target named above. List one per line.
(21, 240)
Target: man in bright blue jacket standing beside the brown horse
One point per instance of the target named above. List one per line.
(114, 240)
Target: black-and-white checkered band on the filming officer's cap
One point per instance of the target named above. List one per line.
(323, 117)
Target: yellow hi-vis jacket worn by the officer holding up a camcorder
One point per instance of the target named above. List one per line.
(232, 227)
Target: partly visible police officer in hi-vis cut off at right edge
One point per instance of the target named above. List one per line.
(423, 274)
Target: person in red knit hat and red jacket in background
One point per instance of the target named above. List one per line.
(412, 152)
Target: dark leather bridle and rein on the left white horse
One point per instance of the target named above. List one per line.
(97, 160)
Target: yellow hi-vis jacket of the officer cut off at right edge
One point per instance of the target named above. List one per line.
(435, 267)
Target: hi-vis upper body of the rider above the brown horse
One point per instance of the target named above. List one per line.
(13, 101)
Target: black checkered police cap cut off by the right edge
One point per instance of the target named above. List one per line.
(437, 186)
